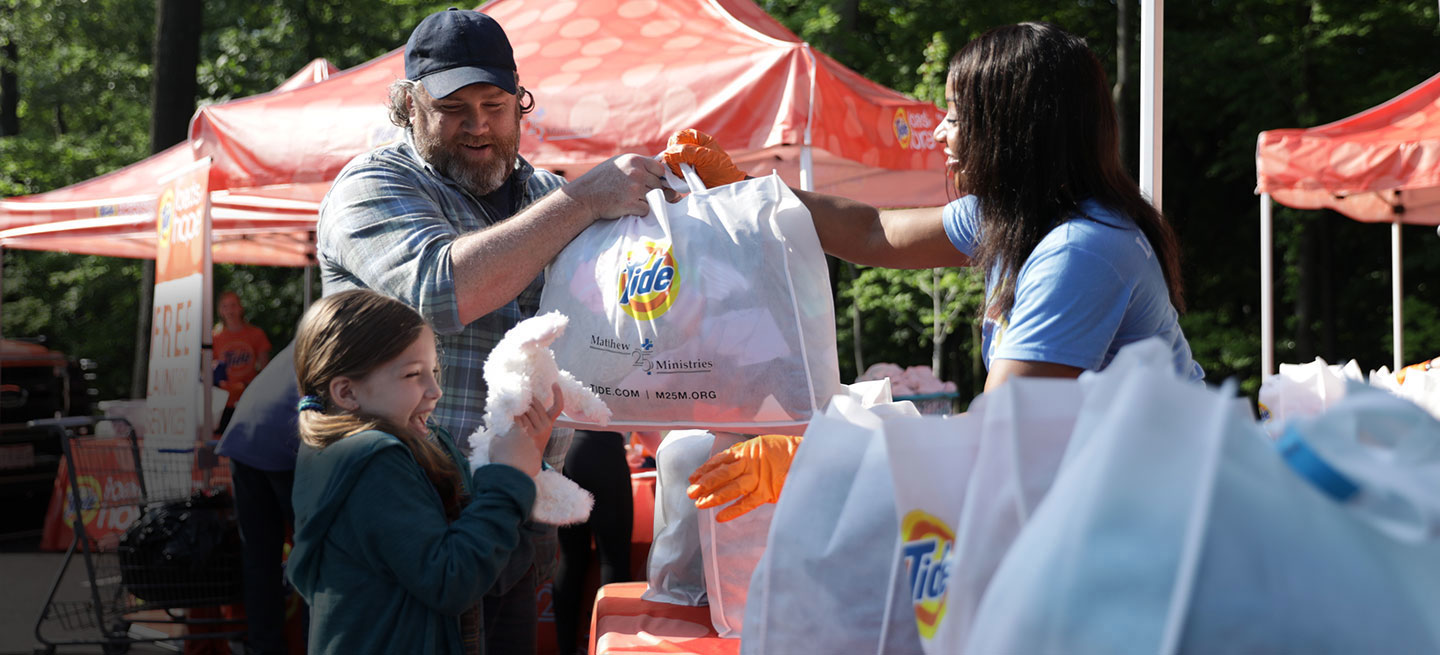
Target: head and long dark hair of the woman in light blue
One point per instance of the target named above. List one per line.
(1038, 136)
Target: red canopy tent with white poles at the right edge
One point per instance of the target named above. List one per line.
(1382, 165)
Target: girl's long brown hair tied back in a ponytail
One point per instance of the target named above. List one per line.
(351, 335)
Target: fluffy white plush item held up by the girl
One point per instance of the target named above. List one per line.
(521, 368)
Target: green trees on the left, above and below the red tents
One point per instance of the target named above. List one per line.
(84, 73)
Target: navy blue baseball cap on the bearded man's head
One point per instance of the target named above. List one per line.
(459, 48)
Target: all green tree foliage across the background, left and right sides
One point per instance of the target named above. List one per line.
(1233, 68)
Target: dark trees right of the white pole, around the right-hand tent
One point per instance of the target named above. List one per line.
(1235, 70)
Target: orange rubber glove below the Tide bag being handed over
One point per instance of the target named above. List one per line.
(752, 471)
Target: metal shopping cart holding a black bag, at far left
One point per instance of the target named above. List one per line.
(152, 548)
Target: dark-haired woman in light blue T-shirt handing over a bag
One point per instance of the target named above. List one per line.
(1078, 261)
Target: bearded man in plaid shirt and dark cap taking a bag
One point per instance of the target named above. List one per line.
(456, 224)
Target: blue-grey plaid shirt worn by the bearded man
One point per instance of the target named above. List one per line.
(388, 224)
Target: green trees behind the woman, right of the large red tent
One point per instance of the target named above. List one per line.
(1232, 70)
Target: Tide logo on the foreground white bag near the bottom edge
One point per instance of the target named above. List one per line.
(928, 543)
